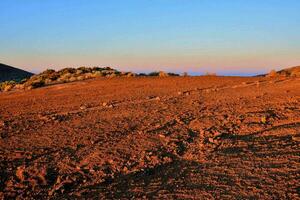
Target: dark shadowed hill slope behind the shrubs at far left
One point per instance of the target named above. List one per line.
(8, 73)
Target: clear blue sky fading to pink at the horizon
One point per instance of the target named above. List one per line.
(227, 37)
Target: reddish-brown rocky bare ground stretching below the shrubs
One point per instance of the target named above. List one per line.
(166, 138)
